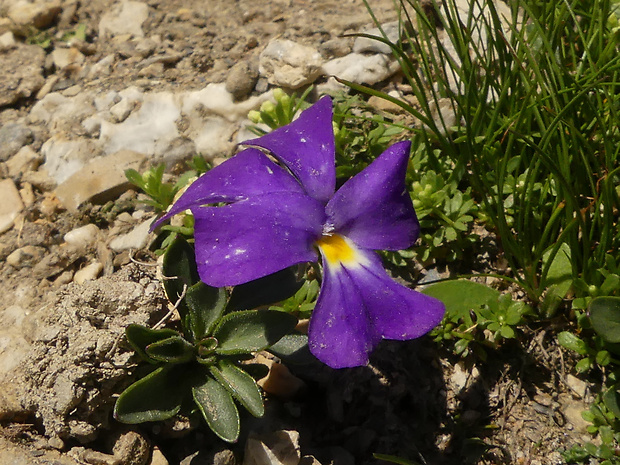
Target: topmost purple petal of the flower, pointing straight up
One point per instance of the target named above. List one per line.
(307, 147)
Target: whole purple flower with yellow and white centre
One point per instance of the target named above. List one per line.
(277, 215)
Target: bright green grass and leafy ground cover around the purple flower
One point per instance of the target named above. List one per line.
(517, 134)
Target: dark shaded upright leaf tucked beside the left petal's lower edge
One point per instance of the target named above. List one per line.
(179, 270)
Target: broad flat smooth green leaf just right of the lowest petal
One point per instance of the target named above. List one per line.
(461, 296)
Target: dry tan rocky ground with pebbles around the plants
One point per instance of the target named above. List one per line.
(91, 88)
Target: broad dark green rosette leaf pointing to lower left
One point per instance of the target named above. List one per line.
(157, 396)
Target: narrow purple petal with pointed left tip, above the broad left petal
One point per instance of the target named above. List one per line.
(247, 174)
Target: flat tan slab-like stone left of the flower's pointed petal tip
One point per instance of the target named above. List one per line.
(101, 180)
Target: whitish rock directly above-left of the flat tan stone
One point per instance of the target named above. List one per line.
(64, 157)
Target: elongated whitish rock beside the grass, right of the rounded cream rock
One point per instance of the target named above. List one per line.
(362, 69)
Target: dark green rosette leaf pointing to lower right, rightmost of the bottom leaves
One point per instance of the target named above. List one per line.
(241, 385)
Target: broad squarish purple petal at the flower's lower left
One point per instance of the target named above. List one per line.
(247, 240)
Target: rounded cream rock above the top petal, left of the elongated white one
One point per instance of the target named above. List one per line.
(288, 64)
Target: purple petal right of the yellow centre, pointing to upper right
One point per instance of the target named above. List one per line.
(374, 208)
